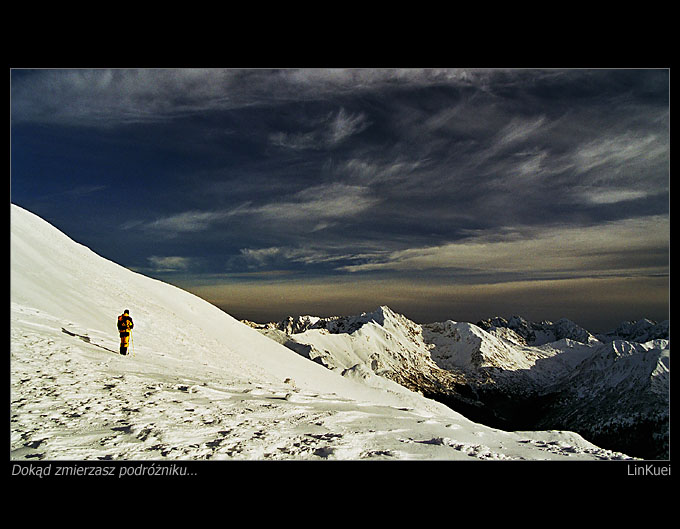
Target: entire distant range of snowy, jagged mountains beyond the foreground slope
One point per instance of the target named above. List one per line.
(508, 373)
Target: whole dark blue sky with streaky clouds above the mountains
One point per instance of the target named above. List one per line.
(445, 194)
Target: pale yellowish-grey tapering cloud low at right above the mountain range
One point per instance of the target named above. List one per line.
(570, 251)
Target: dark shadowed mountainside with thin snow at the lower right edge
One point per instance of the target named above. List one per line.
(618, 397)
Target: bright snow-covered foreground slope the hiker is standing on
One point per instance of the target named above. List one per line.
(200, 384)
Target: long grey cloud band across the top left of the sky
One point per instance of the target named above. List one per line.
(104, 97)
